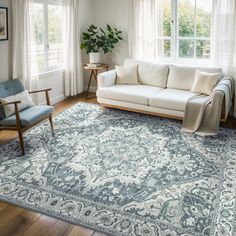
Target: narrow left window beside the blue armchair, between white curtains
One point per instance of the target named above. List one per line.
(47, 22)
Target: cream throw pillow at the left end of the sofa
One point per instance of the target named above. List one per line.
(127, 75)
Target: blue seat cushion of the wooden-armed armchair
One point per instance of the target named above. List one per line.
(29, 115)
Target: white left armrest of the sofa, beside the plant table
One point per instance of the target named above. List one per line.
(106, 79)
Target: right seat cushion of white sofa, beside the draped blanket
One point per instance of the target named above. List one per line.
(173, 99)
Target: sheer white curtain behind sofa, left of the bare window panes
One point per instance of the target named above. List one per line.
(145, 26)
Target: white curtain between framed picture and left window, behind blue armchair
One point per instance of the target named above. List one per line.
(24, 48)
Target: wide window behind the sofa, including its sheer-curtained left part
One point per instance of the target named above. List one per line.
(173, 29)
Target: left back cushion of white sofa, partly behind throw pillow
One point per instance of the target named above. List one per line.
(150, 73)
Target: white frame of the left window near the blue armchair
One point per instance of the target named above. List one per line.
(47, 68)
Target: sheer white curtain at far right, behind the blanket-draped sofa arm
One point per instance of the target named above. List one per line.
(224, 37)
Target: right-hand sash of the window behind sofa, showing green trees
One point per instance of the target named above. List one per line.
(194, 29)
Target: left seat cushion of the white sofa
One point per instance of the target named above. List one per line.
(138, 94)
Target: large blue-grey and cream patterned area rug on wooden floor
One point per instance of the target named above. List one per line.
(124, 173)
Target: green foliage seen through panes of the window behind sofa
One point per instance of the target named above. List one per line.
(186, 17)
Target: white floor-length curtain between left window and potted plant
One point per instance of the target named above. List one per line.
(71, 37)
